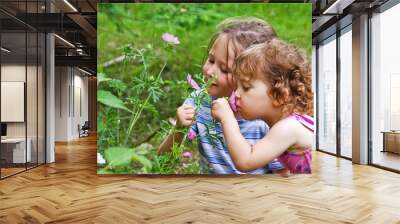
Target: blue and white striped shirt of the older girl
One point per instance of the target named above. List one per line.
(214, 153)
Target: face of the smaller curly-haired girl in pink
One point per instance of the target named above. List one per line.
(254, 102)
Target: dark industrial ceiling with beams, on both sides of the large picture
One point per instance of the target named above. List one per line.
(76, 22)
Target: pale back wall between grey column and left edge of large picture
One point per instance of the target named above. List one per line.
(70, 82)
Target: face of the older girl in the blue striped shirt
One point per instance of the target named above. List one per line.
(219, 68)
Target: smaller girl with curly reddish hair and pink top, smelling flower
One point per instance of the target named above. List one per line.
(274, 84)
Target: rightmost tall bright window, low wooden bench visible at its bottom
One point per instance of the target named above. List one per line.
(385, 88)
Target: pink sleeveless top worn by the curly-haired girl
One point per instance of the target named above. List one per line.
(294, 159)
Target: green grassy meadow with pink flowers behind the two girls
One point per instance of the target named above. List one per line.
(142, 79)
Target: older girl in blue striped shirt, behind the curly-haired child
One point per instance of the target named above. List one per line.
(233, 36)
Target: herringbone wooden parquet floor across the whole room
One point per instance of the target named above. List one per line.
(69, 191)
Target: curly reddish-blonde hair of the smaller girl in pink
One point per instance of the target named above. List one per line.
(284, 68)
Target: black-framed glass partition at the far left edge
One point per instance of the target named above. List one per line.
(22, 75)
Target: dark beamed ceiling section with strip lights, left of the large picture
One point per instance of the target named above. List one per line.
(74, 21)
